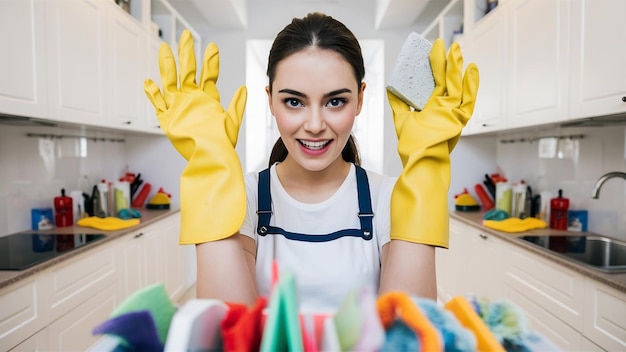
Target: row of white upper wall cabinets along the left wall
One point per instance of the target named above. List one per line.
(84, 62)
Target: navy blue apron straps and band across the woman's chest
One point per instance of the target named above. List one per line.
(365, 212)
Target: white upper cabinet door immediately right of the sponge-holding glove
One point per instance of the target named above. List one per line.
(486, 46)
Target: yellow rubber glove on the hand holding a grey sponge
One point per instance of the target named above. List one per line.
(419, 202)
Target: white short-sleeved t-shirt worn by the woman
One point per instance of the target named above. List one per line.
(325, 272)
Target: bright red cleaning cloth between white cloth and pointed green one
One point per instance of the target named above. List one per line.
(242, 328)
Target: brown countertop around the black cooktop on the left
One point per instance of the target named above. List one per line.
(8, 277)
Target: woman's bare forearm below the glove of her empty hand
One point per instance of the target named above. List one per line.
(223, 272)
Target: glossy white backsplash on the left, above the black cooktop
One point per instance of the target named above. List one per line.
(35, 169)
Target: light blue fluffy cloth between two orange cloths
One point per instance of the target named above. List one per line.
(456, 338)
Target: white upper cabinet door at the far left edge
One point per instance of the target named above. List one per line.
(23, 89)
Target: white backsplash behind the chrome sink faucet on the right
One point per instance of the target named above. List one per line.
(600, 150)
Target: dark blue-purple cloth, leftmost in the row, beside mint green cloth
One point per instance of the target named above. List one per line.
(137, 329)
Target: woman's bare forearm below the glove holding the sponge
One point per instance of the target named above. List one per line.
(409, 267)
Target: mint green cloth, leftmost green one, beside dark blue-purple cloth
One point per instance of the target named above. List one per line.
(154, 299)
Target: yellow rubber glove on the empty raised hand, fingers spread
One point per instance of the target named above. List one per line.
(212, 191)
